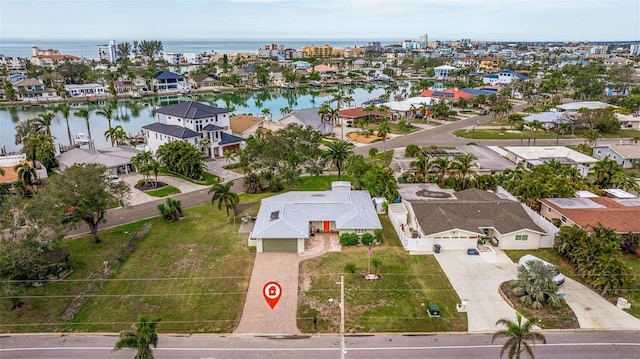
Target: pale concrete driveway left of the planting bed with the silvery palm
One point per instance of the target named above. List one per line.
(476, 279)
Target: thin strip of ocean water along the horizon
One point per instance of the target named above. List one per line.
(89, 48)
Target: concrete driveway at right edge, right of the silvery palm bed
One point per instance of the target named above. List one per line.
(593, 311)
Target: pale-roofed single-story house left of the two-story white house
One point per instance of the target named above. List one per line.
(117, 159)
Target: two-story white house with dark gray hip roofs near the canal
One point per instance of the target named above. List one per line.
(193, 122)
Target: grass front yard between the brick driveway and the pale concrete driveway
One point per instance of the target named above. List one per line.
(396, 303)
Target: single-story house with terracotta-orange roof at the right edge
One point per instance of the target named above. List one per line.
(620, 214)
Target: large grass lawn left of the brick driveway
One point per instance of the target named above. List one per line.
(193, 274)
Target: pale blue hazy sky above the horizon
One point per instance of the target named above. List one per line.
(370, 20)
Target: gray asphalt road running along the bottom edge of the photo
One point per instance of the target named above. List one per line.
(578, 344)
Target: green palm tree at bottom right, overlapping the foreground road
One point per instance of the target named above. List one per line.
(517, 333)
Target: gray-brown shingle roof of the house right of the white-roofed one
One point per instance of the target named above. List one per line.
(472, 210)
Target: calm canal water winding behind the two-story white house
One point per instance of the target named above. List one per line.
(133, 114)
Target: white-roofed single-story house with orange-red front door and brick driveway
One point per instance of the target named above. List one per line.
(286, 220)
